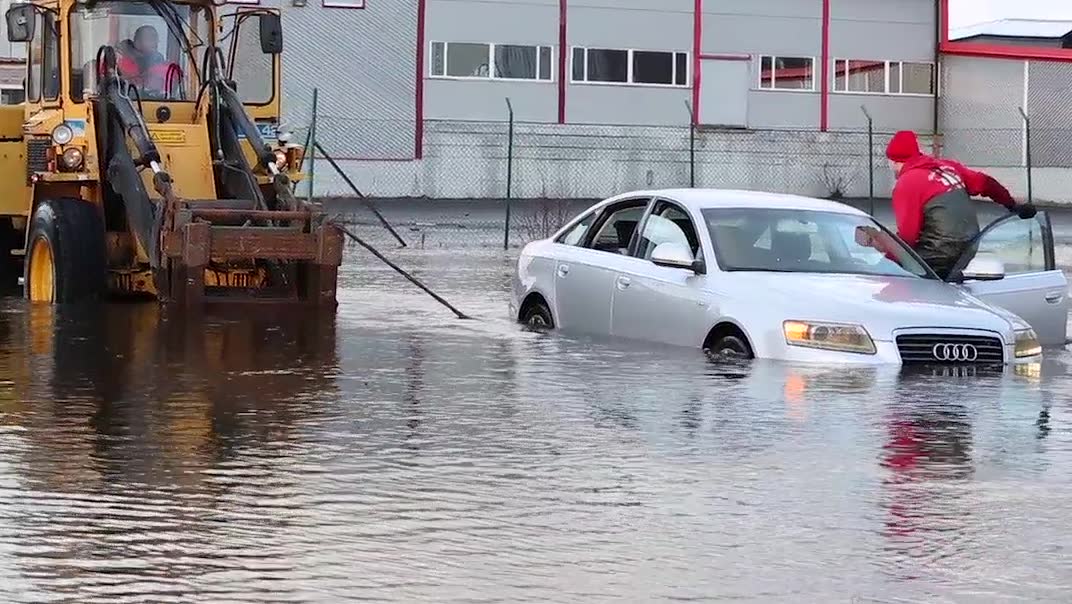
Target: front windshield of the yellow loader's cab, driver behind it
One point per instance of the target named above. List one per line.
(150, 54)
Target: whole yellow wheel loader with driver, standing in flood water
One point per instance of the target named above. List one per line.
(139, 169)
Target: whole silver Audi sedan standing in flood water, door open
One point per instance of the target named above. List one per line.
(792, 278)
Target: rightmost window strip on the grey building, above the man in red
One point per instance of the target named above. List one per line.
(884, 78)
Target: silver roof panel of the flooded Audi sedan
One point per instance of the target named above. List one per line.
(704, 199)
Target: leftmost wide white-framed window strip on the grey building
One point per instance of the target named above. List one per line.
(492, 62)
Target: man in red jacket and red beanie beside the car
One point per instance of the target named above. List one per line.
(932, 202)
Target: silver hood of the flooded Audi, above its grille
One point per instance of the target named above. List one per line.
(882, 304)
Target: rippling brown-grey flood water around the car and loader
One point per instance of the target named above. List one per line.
(392, 453)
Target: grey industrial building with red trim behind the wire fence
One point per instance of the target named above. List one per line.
(414, 96)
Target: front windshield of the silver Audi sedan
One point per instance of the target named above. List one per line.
(788, 241)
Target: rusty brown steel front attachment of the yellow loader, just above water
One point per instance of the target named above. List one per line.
(220, 255)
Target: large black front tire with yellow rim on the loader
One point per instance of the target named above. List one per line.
(66, 258)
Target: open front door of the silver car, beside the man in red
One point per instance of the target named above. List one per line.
(1033, 287)
